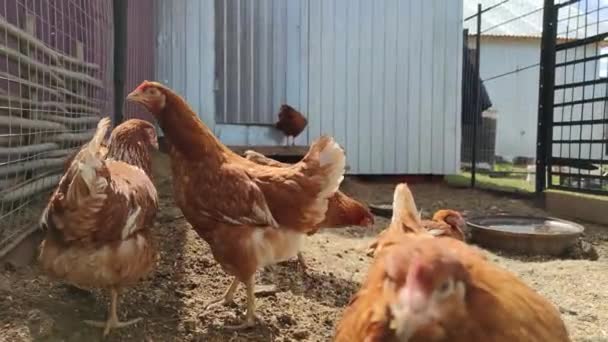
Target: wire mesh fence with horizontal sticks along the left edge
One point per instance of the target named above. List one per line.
(55, 81)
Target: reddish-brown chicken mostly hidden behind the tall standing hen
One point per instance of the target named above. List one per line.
(342, 211)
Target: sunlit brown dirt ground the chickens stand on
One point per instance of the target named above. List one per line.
(305, 307)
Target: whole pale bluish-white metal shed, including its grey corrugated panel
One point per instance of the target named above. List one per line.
(383, 77)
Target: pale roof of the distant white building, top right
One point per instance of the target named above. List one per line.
(524, 18)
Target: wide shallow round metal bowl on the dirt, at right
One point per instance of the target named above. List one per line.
(525, 234)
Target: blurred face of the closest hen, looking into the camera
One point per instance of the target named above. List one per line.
(432, 298)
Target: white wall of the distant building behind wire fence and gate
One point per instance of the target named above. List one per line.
(515, 97)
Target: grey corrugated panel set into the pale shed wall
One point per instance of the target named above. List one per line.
(251, 54)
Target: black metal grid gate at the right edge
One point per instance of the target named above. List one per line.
(573, 117)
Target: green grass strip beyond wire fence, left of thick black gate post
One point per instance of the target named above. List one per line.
(486, 182)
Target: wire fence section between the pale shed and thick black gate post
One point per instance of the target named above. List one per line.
(504, 144)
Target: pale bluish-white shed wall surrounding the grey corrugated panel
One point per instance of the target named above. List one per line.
(383, 77)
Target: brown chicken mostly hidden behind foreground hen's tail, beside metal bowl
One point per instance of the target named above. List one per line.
(445, 222)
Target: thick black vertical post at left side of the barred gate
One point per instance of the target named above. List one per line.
(546, 95)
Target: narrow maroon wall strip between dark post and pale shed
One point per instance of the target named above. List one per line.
(141, 39)
